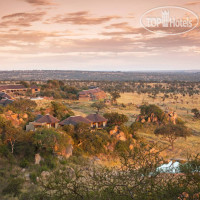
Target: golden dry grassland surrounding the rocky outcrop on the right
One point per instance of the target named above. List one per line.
(129, 103)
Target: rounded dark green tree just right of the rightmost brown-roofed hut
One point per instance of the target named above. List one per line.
(115, 118)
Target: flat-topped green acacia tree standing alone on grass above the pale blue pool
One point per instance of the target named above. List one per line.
(171, 132)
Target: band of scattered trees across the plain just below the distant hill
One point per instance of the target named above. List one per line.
(70, 89)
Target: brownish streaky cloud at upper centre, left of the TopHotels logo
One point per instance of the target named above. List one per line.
(81, 18)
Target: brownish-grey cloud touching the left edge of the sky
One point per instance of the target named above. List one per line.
(21, 19)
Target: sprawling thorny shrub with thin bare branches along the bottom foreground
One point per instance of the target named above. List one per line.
(137, 178)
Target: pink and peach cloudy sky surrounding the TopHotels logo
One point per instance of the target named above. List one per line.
(97, 35)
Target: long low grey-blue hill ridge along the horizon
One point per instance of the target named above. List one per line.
(42, 75)
